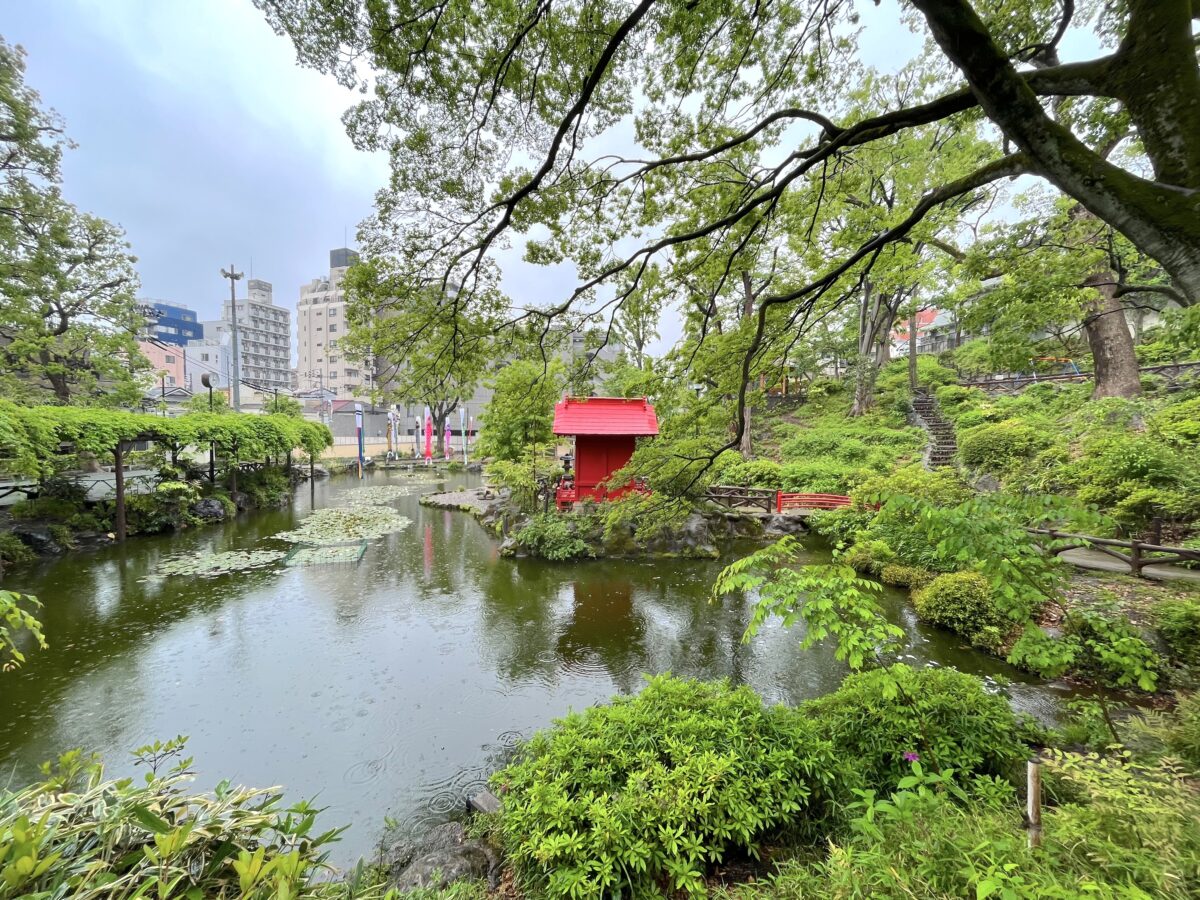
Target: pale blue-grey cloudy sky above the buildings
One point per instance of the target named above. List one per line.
(200, 135)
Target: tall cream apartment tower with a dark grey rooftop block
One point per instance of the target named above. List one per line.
(321, 325)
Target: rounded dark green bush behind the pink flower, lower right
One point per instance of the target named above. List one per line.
(944, 716)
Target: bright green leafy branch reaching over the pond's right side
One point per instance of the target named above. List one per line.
(831, 601)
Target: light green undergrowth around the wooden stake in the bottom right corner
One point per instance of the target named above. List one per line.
(1129, 832)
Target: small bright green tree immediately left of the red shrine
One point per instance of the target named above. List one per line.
(521, 412)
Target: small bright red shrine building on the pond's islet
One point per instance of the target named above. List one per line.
(605, 431)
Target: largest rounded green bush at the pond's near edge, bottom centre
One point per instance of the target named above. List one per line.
(646, 793)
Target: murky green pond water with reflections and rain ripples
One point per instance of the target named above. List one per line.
(393, 686)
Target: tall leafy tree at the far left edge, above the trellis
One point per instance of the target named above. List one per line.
(68, 314)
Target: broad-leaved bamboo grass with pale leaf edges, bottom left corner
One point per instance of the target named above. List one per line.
(79, 835)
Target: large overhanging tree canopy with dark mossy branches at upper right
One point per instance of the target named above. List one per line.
(509, 119)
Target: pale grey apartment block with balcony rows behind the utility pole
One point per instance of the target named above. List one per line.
(265, 337)
